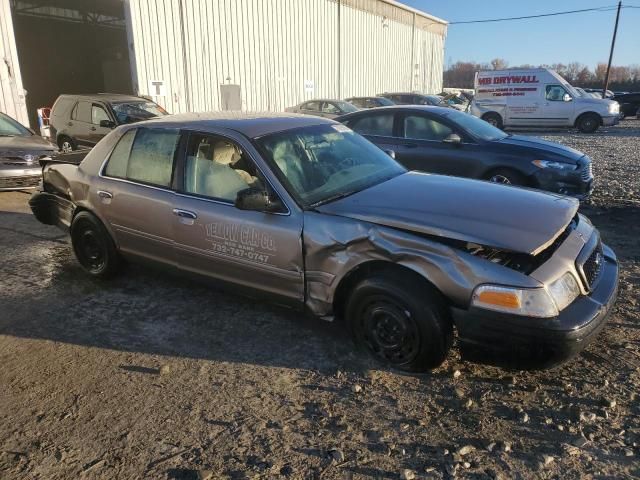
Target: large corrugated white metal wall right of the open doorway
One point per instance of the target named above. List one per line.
(280, 52)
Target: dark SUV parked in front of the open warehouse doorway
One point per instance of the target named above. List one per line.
(82, 120)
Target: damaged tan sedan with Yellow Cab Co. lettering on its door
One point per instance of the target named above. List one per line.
(311, 214)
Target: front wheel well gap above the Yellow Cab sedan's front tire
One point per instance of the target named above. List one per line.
(367, 269)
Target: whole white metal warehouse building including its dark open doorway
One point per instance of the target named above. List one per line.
(199, 55)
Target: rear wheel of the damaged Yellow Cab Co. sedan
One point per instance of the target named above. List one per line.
(93, 246)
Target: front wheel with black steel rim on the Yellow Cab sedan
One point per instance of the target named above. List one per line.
(403, 323)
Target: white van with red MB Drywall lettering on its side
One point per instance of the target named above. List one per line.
(538, 98)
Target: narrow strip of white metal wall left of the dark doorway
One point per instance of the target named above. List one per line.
(12, 100)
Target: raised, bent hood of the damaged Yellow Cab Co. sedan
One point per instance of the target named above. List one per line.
(498, 216)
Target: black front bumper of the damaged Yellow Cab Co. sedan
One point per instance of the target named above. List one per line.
(521, 342)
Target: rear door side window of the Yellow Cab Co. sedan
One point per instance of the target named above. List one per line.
(145, 155)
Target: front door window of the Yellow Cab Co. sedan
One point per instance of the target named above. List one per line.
(218, 168)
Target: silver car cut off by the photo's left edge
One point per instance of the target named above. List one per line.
(20, 150)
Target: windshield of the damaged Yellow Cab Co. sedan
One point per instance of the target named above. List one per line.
(326, 162)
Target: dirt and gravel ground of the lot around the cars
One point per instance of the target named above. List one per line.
(151, 376)
